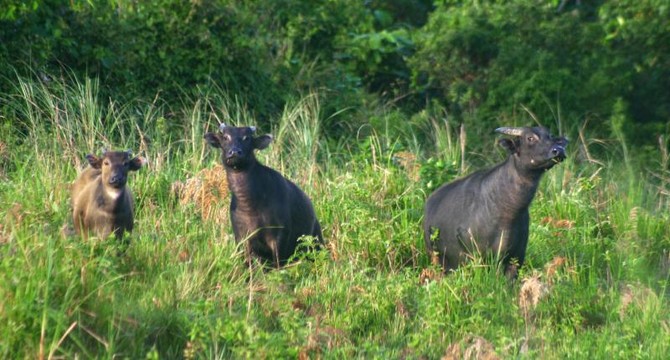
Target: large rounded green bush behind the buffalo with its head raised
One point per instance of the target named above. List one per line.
(488, 60)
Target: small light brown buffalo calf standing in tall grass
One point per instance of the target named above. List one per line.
(102, 203)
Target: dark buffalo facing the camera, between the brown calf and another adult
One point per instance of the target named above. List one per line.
(267, 210)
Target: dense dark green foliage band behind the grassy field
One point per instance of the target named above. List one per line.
(482, 61)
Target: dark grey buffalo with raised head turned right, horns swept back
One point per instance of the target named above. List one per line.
(487, 211)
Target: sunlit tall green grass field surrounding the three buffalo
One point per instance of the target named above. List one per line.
(595, 284)
